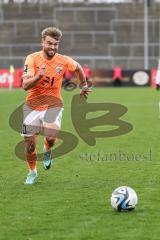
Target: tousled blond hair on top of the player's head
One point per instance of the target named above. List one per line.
(51, 32)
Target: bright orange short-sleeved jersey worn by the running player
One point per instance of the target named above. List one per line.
(47, 92)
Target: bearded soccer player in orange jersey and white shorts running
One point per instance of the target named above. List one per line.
(42, 78)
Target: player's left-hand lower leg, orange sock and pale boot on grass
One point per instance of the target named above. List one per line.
(31, 157)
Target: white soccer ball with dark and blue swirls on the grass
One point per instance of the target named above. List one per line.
(124, 199)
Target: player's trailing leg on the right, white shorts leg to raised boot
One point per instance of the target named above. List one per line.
(52, 124)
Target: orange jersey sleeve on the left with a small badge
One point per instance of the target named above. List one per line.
(29, 67)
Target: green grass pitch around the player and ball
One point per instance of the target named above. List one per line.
(72, 200)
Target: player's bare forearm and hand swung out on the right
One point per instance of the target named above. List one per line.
(81, 76)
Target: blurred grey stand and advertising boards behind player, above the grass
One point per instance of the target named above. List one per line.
(105, 35)
